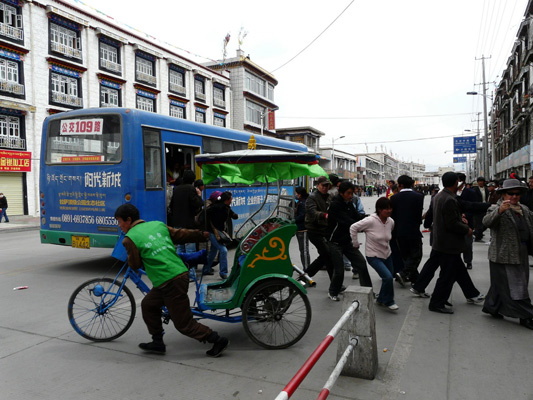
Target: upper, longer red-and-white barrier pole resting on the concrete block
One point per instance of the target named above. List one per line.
(293, 384)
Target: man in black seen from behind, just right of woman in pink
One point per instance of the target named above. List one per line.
(407, 207)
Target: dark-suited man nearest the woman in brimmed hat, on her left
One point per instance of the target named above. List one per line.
(449, 231)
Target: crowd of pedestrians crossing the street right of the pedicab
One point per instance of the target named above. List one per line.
(459, 215)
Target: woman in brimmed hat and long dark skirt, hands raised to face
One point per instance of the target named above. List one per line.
(511, 229)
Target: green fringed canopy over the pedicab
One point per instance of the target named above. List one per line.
(249, 166)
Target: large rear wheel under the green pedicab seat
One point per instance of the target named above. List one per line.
(276, 314)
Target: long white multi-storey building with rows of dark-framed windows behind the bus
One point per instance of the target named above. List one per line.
(56, 56)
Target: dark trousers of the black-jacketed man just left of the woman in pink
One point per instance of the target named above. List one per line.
(358, 264)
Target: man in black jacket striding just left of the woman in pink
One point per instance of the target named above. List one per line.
(341, 215)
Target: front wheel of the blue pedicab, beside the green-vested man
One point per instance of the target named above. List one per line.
(98, 312)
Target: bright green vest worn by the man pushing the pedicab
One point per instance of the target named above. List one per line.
(157, 251)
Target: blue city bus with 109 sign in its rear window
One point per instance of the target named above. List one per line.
(93, 160)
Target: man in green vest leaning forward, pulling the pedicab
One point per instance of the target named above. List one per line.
(151, 245)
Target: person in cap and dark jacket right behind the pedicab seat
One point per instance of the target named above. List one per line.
(316, 223)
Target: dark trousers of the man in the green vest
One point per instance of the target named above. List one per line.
(173, 295)
